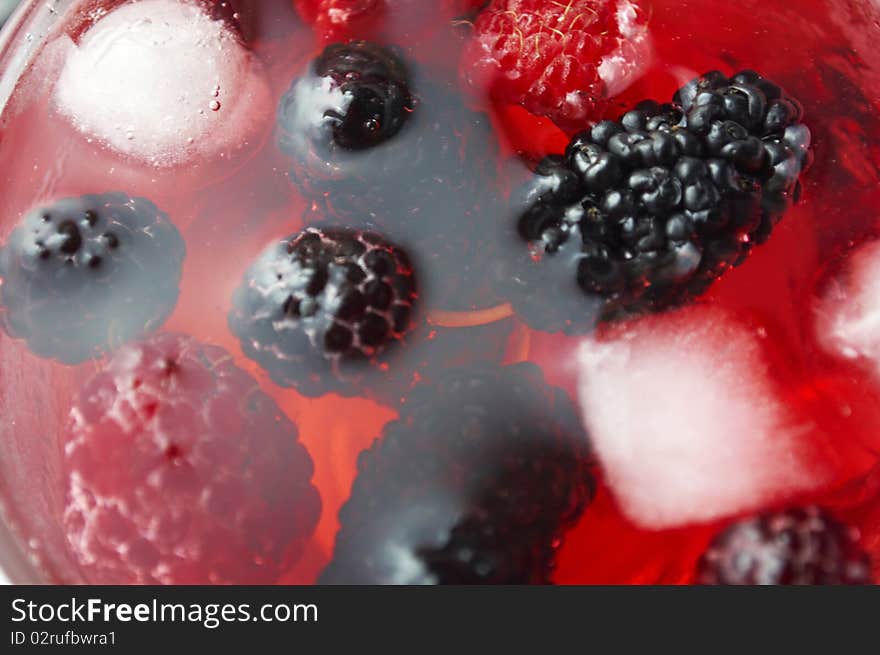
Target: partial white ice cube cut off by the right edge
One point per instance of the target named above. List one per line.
(848, 311)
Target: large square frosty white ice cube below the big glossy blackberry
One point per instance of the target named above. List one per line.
(687, 420)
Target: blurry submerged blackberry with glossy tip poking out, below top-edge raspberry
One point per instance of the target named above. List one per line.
(429, 180)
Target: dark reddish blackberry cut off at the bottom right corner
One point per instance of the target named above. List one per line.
(799, 546)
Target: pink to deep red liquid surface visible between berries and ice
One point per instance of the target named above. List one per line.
(821, 51)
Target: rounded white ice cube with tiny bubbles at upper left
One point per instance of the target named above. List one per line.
(161, 81)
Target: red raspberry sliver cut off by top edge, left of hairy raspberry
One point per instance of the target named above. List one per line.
(338, 20)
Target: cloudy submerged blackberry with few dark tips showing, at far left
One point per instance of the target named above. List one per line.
(86, 274)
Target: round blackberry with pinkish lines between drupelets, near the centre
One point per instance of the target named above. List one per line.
(320, 309)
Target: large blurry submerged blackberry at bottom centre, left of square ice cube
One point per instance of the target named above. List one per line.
(475, 483)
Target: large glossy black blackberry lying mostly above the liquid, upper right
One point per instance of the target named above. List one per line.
(646, 212)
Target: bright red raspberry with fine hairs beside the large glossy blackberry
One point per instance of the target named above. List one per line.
(555, 58)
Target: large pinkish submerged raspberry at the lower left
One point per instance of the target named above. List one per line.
(181, 471)
